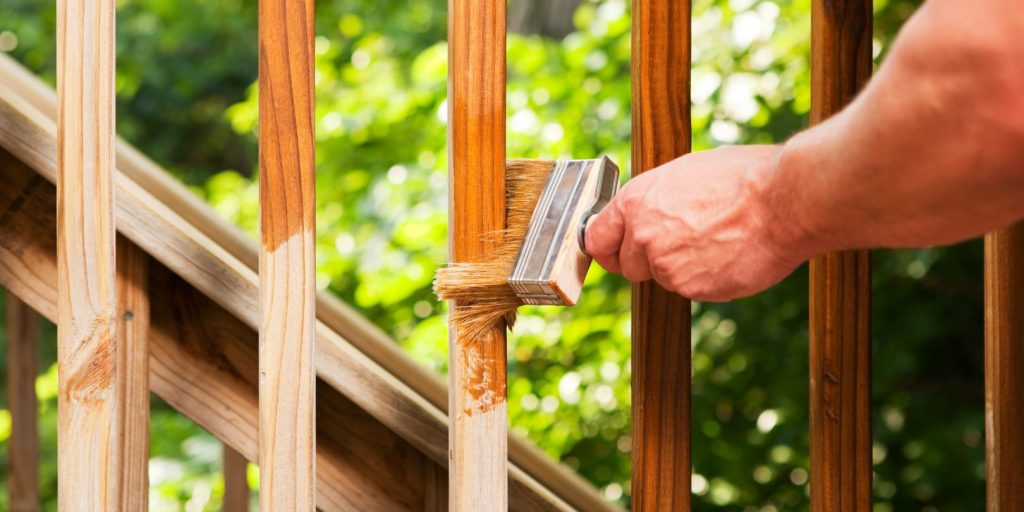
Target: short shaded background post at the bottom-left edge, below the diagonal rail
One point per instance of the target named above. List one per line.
(23, 368)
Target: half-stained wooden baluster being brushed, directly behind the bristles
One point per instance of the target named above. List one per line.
(478, 439)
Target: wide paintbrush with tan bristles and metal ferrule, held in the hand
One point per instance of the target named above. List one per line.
(543, 258)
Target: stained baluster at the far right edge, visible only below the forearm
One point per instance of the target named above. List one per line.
(1004, 361)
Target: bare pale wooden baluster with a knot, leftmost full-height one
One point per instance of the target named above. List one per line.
(89, 455)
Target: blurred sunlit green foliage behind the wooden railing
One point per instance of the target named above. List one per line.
(187, 91)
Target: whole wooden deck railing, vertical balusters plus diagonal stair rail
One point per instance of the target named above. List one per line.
(338, 417)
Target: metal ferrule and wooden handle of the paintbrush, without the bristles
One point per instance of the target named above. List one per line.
(553, 262)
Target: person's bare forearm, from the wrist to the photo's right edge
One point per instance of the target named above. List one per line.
(932, 152)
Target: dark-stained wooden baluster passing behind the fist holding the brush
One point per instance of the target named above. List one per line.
(661, 72)
